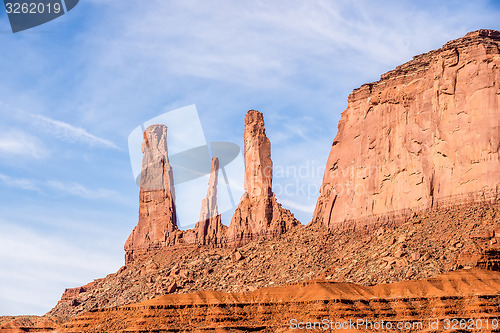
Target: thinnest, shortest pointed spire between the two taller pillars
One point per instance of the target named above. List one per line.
(209, 229)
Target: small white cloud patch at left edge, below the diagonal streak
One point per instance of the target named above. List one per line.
(19, 143)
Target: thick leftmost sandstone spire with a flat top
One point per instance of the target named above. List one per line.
(157, 216)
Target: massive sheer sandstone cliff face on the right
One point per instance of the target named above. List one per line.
(426, 135)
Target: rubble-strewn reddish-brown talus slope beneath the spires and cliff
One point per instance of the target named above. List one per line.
(426, 245)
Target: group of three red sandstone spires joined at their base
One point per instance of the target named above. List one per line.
(257, 216)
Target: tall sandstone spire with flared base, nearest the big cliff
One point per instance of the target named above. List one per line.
(258, 214)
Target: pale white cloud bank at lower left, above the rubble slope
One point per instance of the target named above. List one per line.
(37, 268)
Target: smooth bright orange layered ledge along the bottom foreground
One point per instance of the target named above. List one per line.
(438, 301)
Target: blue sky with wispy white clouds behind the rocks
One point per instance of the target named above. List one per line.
(72, 90)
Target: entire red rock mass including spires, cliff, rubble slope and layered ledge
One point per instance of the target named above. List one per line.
(415, 160)
